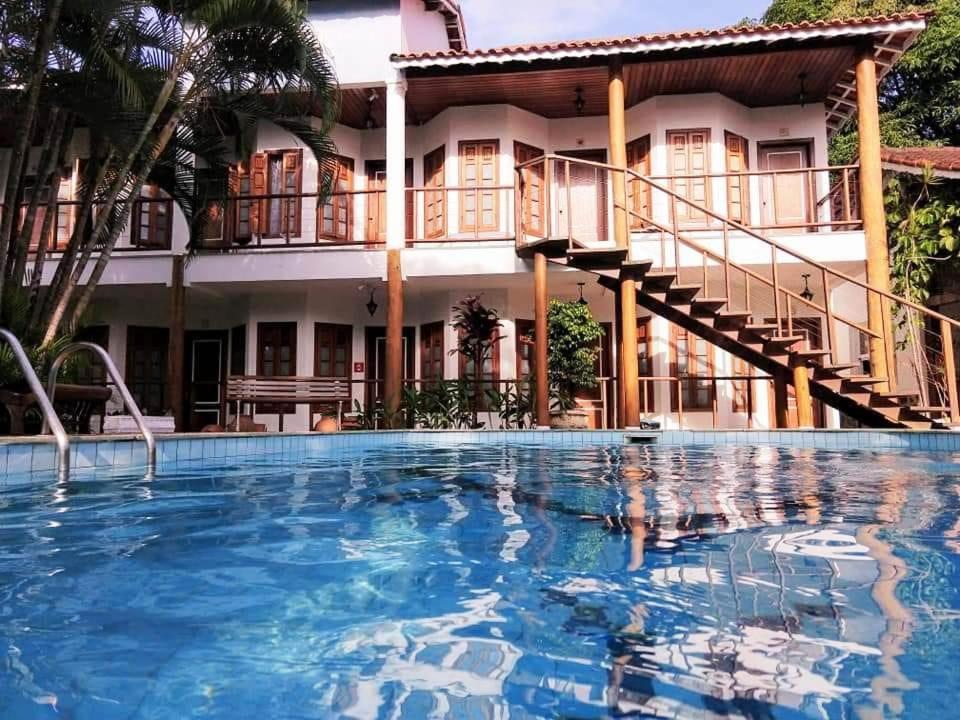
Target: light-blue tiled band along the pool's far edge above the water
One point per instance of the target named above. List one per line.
(28, 455)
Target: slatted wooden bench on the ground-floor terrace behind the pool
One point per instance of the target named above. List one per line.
(281, 391)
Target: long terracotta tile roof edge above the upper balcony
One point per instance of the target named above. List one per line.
(744, 32)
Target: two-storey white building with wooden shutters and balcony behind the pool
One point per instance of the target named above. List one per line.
(735, 121)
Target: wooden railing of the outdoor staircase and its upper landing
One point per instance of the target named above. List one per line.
(745, 267)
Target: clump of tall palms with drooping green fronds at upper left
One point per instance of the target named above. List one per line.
(163, 87)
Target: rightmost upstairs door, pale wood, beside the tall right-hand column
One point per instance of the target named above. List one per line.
(785, 197)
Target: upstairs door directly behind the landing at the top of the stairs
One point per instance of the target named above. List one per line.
(582, 208)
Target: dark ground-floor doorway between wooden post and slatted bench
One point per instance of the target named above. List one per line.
(204, 369)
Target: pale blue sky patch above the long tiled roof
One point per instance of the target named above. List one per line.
(506, 22)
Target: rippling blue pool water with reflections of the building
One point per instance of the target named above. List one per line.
(488, 582)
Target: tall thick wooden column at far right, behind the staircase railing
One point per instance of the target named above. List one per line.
(874, 216)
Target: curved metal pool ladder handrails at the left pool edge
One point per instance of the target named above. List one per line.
(45, 399)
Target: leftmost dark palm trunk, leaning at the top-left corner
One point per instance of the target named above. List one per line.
(25, 122)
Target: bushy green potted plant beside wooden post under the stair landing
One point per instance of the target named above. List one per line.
(573, 342)
